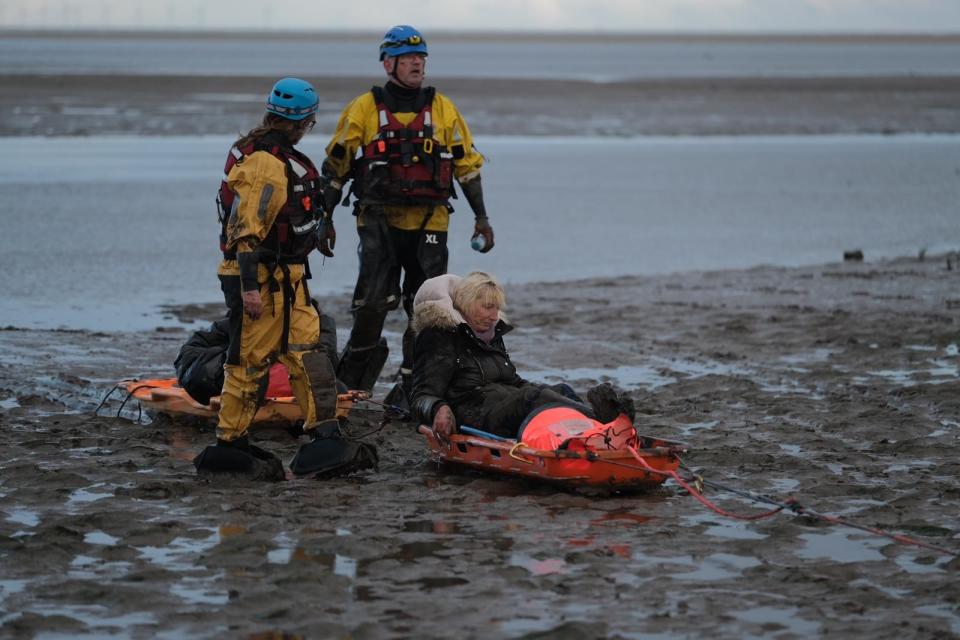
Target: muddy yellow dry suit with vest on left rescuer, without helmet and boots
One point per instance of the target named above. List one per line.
(268, 234)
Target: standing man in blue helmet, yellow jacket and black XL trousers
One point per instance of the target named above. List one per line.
(403, 146)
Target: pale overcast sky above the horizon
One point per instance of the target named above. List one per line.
(816, 16)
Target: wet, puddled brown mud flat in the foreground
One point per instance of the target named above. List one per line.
(837, 385)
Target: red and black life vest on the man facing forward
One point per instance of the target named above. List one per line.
(404, 164)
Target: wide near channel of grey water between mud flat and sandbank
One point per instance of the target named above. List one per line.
(98, 232)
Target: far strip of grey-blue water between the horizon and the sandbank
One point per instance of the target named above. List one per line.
(597, 58)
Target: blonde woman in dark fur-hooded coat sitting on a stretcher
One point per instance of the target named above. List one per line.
(463, 374)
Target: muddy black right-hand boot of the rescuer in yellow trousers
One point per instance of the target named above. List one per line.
(330, 455)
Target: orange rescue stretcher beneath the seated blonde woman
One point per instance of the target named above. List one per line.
(610, 469)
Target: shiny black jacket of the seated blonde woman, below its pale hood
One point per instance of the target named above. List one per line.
(454, 367)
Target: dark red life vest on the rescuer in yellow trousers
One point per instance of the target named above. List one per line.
(292, 236)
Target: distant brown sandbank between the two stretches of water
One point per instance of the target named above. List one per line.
(78, 105)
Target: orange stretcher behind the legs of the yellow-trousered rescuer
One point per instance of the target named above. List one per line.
(164, 395)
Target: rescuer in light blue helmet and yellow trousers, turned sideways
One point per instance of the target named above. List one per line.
(271, 221)
